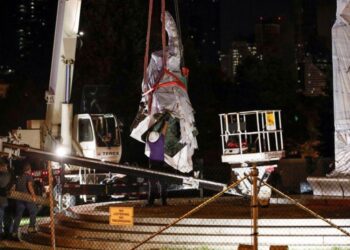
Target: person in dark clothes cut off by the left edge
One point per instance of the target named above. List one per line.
(5, 178)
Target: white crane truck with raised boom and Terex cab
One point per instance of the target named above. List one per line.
(89, 135)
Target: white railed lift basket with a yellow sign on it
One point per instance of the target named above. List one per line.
(251, 136)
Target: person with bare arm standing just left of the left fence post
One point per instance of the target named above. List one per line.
(24, 184)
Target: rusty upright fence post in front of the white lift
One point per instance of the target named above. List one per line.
(254, 205)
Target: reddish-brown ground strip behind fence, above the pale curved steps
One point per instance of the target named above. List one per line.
(226, 207)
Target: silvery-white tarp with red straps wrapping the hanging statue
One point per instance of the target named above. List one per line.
(167, 93)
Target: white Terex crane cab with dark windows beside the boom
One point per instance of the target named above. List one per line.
(98, 136)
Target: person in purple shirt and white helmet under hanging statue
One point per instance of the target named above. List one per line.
(156, 143)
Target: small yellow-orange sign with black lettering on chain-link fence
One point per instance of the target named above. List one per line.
(121, 216)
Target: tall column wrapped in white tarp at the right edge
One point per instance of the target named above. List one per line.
(341, 88)
